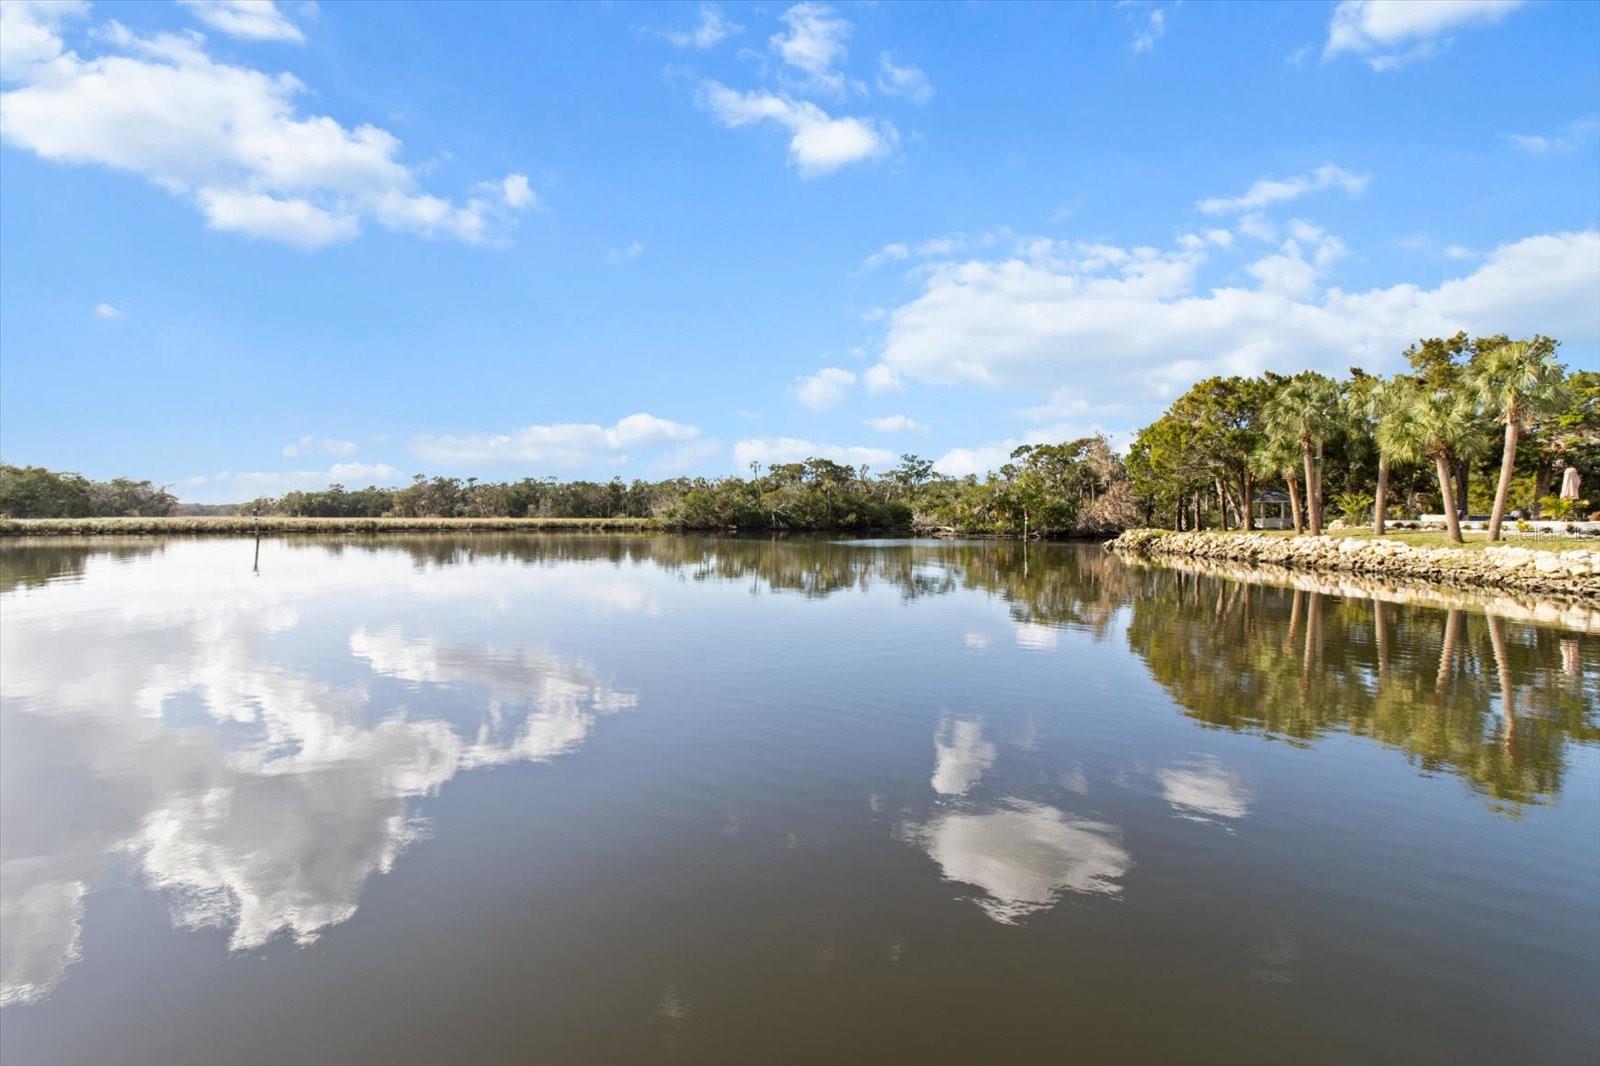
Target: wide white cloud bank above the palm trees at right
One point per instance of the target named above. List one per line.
(1137, 326)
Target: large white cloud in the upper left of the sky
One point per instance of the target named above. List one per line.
(228, 138)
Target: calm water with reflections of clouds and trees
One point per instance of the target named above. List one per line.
(679, 799)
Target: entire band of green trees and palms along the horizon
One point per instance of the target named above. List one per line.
(1478, 425)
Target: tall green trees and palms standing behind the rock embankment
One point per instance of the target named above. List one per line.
(1478, 427)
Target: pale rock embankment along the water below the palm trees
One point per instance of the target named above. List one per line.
(1570, 574)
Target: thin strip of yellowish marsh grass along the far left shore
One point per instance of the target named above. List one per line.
(234, 526)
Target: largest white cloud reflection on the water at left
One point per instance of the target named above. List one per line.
(260, 799)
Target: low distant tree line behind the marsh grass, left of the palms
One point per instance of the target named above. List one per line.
(1046, 491)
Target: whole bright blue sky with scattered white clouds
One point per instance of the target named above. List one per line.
(250, 247)
